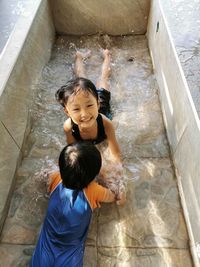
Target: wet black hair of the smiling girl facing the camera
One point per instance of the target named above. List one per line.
(72, 87)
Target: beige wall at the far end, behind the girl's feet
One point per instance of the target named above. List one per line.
(92, 17)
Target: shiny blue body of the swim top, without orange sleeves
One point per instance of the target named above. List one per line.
(63, 234)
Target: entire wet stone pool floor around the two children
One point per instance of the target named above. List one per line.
(149, 230)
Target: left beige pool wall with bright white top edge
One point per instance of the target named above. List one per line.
(21, 62)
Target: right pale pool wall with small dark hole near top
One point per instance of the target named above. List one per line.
(181, 119)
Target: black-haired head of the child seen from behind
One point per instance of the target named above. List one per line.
(79, 164)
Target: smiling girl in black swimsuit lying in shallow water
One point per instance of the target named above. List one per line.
(89, 115)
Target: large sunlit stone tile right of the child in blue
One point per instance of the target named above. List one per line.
(152, 216)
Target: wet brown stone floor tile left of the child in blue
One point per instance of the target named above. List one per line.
(27, 210)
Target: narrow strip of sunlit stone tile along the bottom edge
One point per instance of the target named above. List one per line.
(126, 257)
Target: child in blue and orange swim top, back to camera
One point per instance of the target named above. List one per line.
(74, 194)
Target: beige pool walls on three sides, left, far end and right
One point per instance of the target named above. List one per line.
(29, 49)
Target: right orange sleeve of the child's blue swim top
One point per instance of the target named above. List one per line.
(95, 193)
